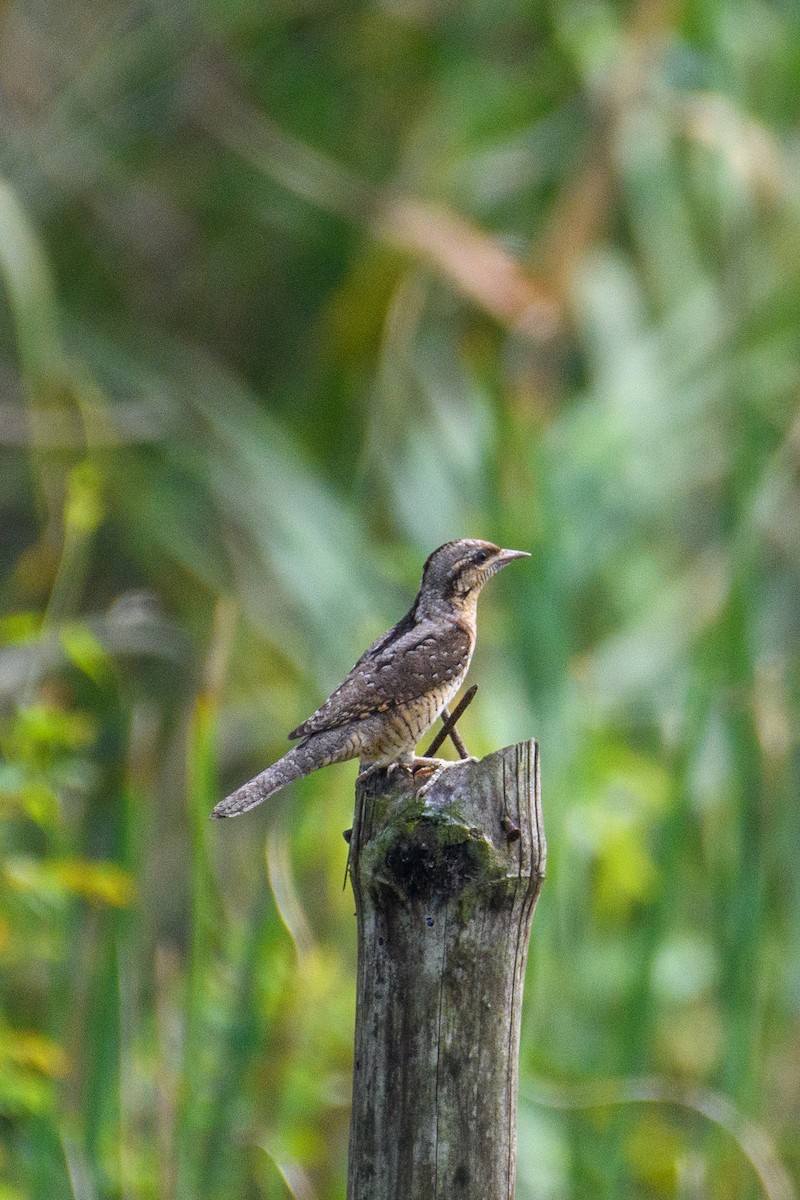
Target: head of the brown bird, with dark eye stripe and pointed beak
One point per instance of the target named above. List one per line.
(455, 573)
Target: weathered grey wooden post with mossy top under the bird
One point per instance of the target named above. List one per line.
(446, 886)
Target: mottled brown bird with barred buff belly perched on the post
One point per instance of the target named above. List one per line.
(400, 686)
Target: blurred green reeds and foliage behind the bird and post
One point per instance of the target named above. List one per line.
(291, 295)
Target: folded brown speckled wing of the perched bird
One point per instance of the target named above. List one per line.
(398, 669)
